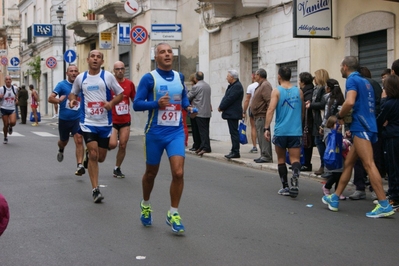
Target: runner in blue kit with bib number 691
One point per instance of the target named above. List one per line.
(162, 93)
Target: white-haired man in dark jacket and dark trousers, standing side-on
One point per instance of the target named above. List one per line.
(231, 108)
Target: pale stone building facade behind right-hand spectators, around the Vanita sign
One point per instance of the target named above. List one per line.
(250, 34)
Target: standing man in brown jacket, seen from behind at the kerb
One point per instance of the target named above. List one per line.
(260, 103)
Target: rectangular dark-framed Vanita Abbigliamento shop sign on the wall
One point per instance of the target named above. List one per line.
(312, 18)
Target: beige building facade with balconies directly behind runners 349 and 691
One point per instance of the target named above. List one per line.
(138, 57)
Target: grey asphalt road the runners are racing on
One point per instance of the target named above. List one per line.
(232, 214)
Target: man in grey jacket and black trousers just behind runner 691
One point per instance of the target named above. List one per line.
(200, 97)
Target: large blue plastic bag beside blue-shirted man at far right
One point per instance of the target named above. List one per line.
(333, 154)
